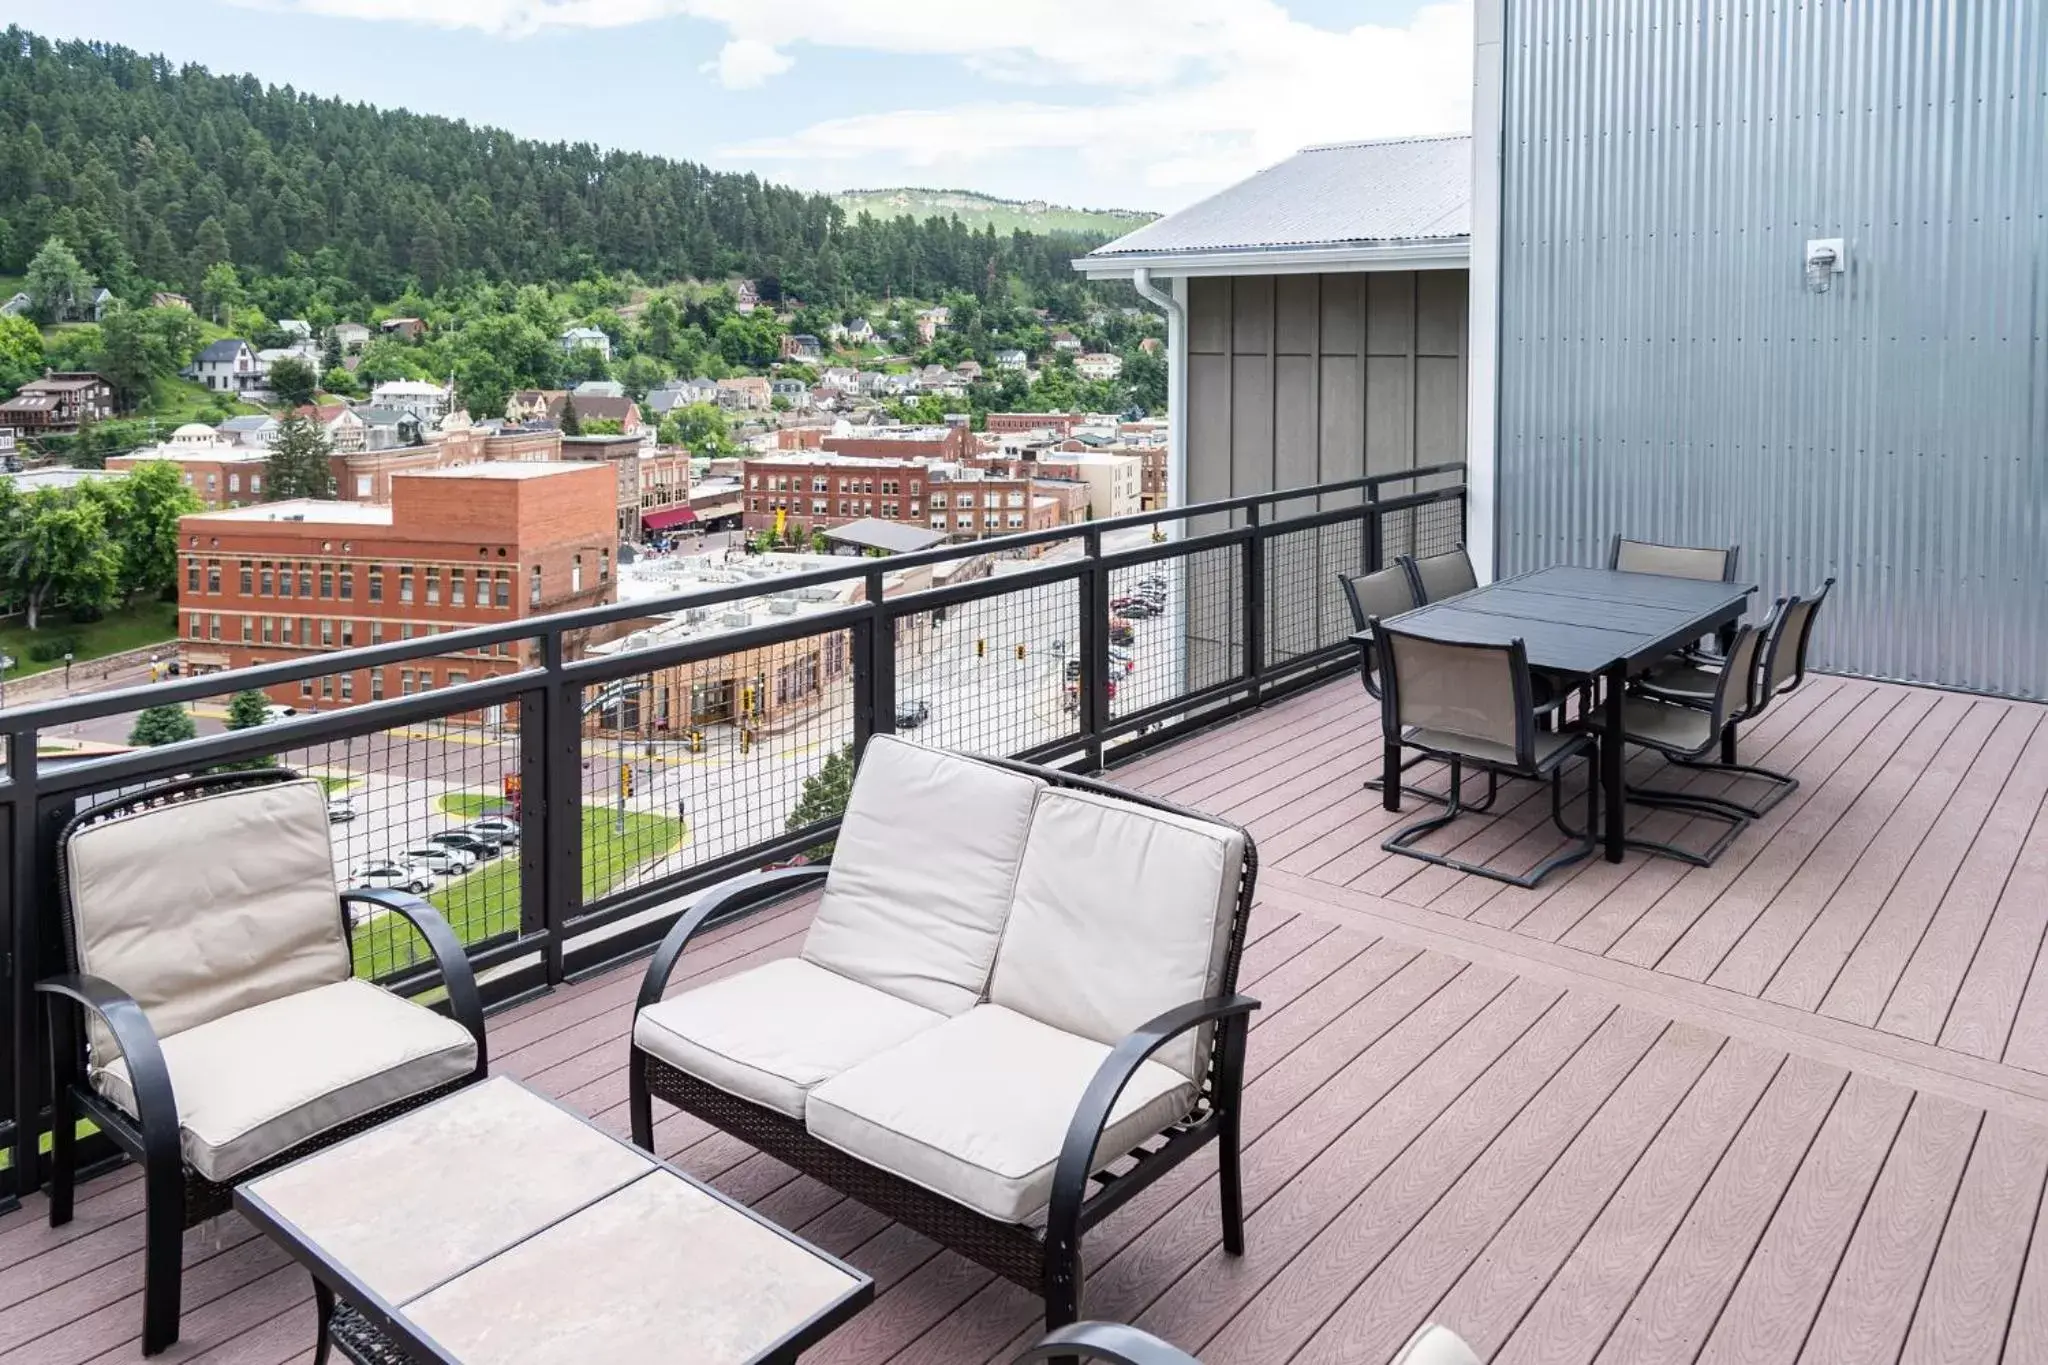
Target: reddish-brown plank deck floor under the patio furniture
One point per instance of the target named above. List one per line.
(1785, 1110)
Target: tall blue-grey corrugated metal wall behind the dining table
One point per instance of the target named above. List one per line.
(1668, 376)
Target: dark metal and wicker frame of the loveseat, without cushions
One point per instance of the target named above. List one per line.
(1041, 1260)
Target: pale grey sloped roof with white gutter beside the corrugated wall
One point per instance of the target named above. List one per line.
(1396, 204)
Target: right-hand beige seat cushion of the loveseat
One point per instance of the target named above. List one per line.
(978, 1108)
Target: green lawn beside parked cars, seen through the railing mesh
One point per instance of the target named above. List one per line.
(486, 904)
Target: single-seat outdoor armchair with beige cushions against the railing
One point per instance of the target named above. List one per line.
(210, 1020)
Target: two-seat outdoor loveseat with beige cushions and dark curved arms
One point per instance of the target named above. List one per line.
(1015, 1010)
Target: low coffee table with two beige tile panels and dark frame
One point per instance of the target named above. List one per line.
(499, 1227)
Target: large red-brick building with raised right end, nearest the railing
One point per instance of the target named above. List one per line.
(456, 547)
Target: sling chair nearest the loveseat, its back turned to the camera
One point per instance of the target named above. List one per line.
(1471, 705)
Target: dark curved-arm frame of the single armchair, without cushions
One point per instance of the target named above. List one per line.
(175, 1194)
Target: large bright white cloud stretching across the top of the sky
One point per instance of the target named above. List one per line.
(1142, 101)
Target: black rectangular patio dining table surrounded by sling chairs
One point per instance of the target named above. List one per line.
(1586, 625)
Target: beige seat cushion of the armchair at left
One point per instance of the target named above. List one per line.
(265, 1080)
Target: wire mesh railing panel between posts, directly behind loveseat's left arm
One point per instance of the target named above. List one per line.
(695, 762)
